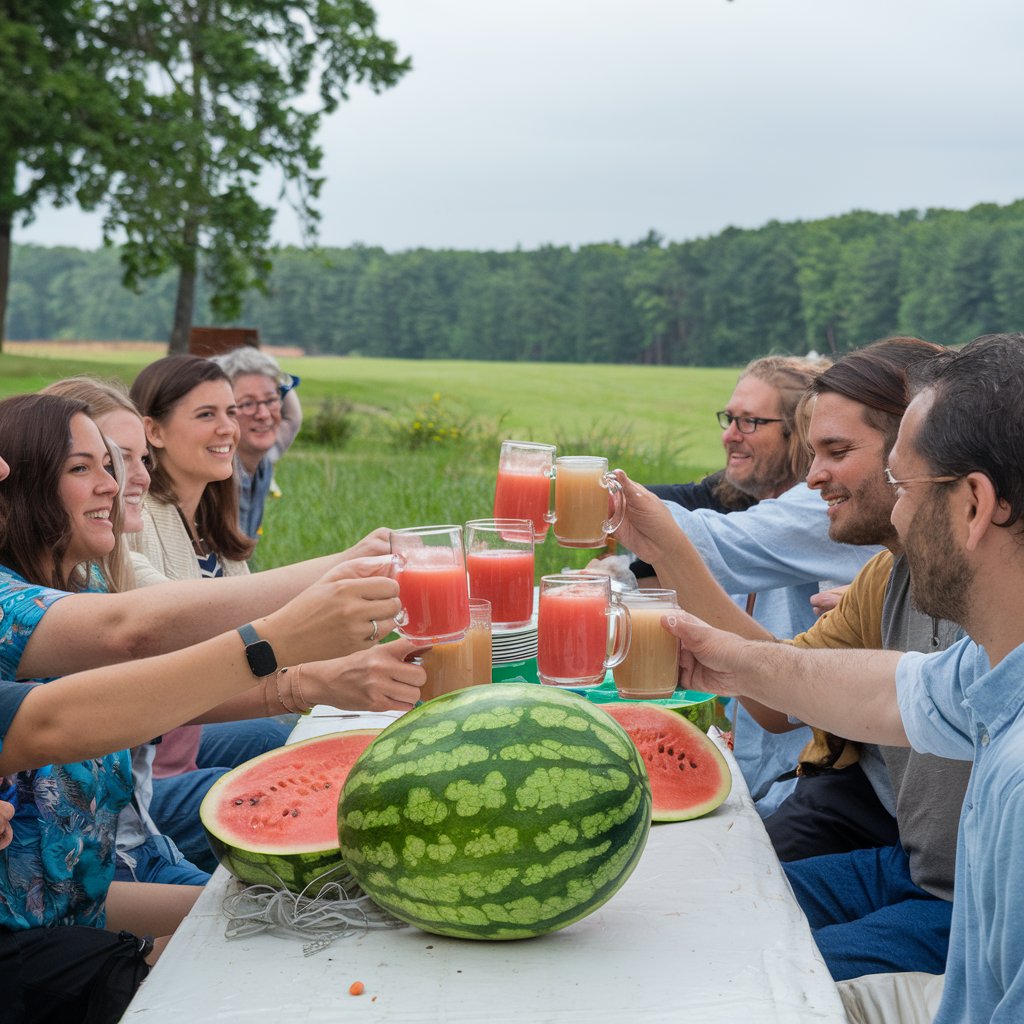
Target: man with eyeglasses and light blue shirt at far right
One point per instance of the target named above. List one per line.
(958, 477)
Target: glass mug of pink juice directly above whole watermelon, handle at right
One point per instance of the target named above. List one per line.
(581, 632)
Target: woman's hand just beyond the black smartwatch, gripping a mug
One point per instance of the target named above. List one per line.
(348, 610)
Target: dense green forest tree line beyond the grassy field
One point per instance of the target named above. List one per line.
(827, 285)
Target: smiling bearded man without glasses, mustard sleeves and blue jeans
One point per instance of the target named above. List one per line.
(873, 910)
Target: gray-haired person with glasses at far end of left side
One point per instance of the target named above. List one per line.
(270, 416)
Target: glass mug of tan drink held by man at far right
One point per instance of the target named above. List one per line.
(651, 668)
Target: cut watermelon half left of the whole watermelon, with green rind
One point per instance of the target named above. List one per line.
(274, 821)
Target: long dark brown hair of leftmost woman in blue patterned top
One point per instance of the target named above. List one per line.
(35, 529)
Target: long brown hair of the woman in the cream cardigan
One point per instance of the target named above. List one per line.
(157, 392)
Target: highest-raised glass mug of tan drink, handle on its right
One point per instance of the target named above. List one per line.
(582, 488)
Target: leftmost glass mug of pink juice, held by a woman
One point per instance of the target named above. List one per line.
(433, 588)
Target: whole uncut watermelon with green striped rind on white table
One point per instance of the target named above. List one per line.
(496, 813)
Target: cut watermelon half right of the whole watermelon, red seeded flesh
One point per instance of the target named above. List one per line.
(689, 775)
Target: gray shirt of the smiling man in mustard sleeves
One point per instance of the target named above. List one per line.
(929, 790)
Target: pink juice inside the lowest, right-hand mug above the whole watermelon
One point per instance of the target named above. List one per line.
(573, 637)
